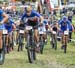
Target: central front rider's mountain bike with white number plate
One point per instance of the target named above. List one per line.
(30, 44)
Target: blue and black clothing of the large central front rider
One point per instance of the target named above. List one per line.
(29, 22)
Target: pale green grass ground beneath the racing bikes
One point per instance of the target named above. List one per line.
(50, 58)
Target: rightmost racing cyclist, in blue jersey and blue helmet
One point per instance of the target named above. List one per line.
(64, 26)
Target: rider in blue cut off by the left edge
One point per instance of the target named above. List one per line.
(3, 19)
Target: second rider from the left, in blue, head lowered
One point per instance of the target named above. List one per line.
(9, 27)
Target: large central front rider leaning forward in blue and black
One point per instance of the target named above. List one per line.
(30, 13)
